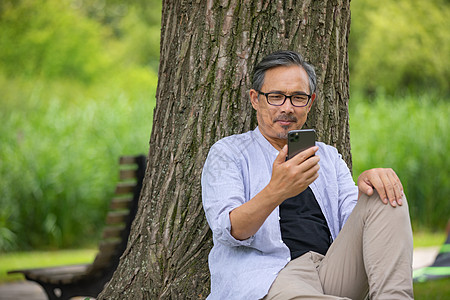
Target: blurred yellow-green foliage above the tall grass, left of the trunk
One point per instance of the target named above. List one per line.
(82, 40)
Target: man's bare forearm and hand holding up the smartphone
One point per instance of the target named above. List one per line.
(289, 178)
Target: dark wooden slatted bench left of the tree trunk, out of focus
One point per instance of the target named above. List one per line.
(89, 279)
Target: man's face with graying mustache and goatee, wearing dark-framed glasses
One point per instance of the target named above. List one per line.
(276, 121)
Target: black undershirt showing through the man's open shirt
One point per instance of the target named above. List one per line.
(303, 225)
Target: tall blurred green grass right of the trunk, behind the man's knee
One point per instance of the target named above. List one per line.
(410, 135)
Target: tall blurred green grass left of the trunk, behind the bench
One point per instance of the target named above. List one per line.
(59, 152)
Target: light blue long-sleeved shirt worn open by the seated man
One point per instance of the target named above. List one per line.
(237, 168)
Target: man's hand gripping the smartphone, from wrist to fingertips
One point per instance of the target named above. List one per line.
(290, 178)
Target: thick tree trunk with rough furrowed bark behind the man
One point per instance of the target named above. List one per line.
(208, 51)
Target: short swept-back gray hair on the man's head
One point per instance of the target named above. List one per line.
(283, 58)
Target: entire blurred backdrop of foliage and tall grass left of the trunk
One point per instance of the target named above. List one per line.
(77, 92)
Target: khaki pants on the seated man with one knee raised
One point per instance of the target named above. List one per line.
(373, 252)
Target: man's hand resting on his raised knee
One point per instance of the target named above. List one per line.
(385, 182)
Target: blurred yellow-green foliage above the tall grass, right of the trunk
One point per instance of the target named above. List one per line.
(400, 46)
